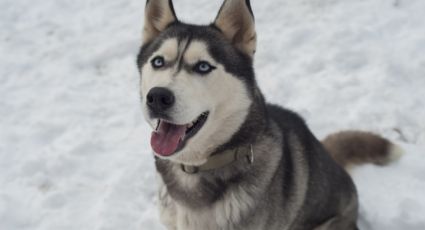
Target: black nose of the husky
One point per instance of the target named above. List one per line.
(160, 99)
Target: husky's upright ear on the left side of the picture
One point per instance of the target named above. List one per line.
(158, 15)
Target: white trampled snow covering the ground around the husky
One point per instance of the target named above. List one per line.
(74, 149)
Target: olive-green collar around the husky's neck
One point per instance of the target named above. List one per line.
(220, 160)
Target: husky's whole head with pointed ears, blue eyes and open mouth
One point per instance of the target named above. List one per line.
(195, 79)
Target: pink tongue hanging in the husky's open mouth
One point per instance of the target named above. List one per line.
(166, 139)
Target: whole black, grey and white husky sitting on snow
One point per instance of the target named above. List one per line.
(226, 159)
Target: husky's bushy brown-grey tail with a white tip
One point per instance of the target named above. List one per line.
(351, 148)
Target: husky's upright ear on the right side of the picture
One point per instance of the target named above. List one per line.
(236, 20)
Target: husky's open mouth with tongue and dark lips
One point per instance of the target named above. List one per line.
(169, 138)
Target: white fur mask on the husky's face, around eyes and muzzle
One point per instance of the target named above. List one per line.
(220, 93)
